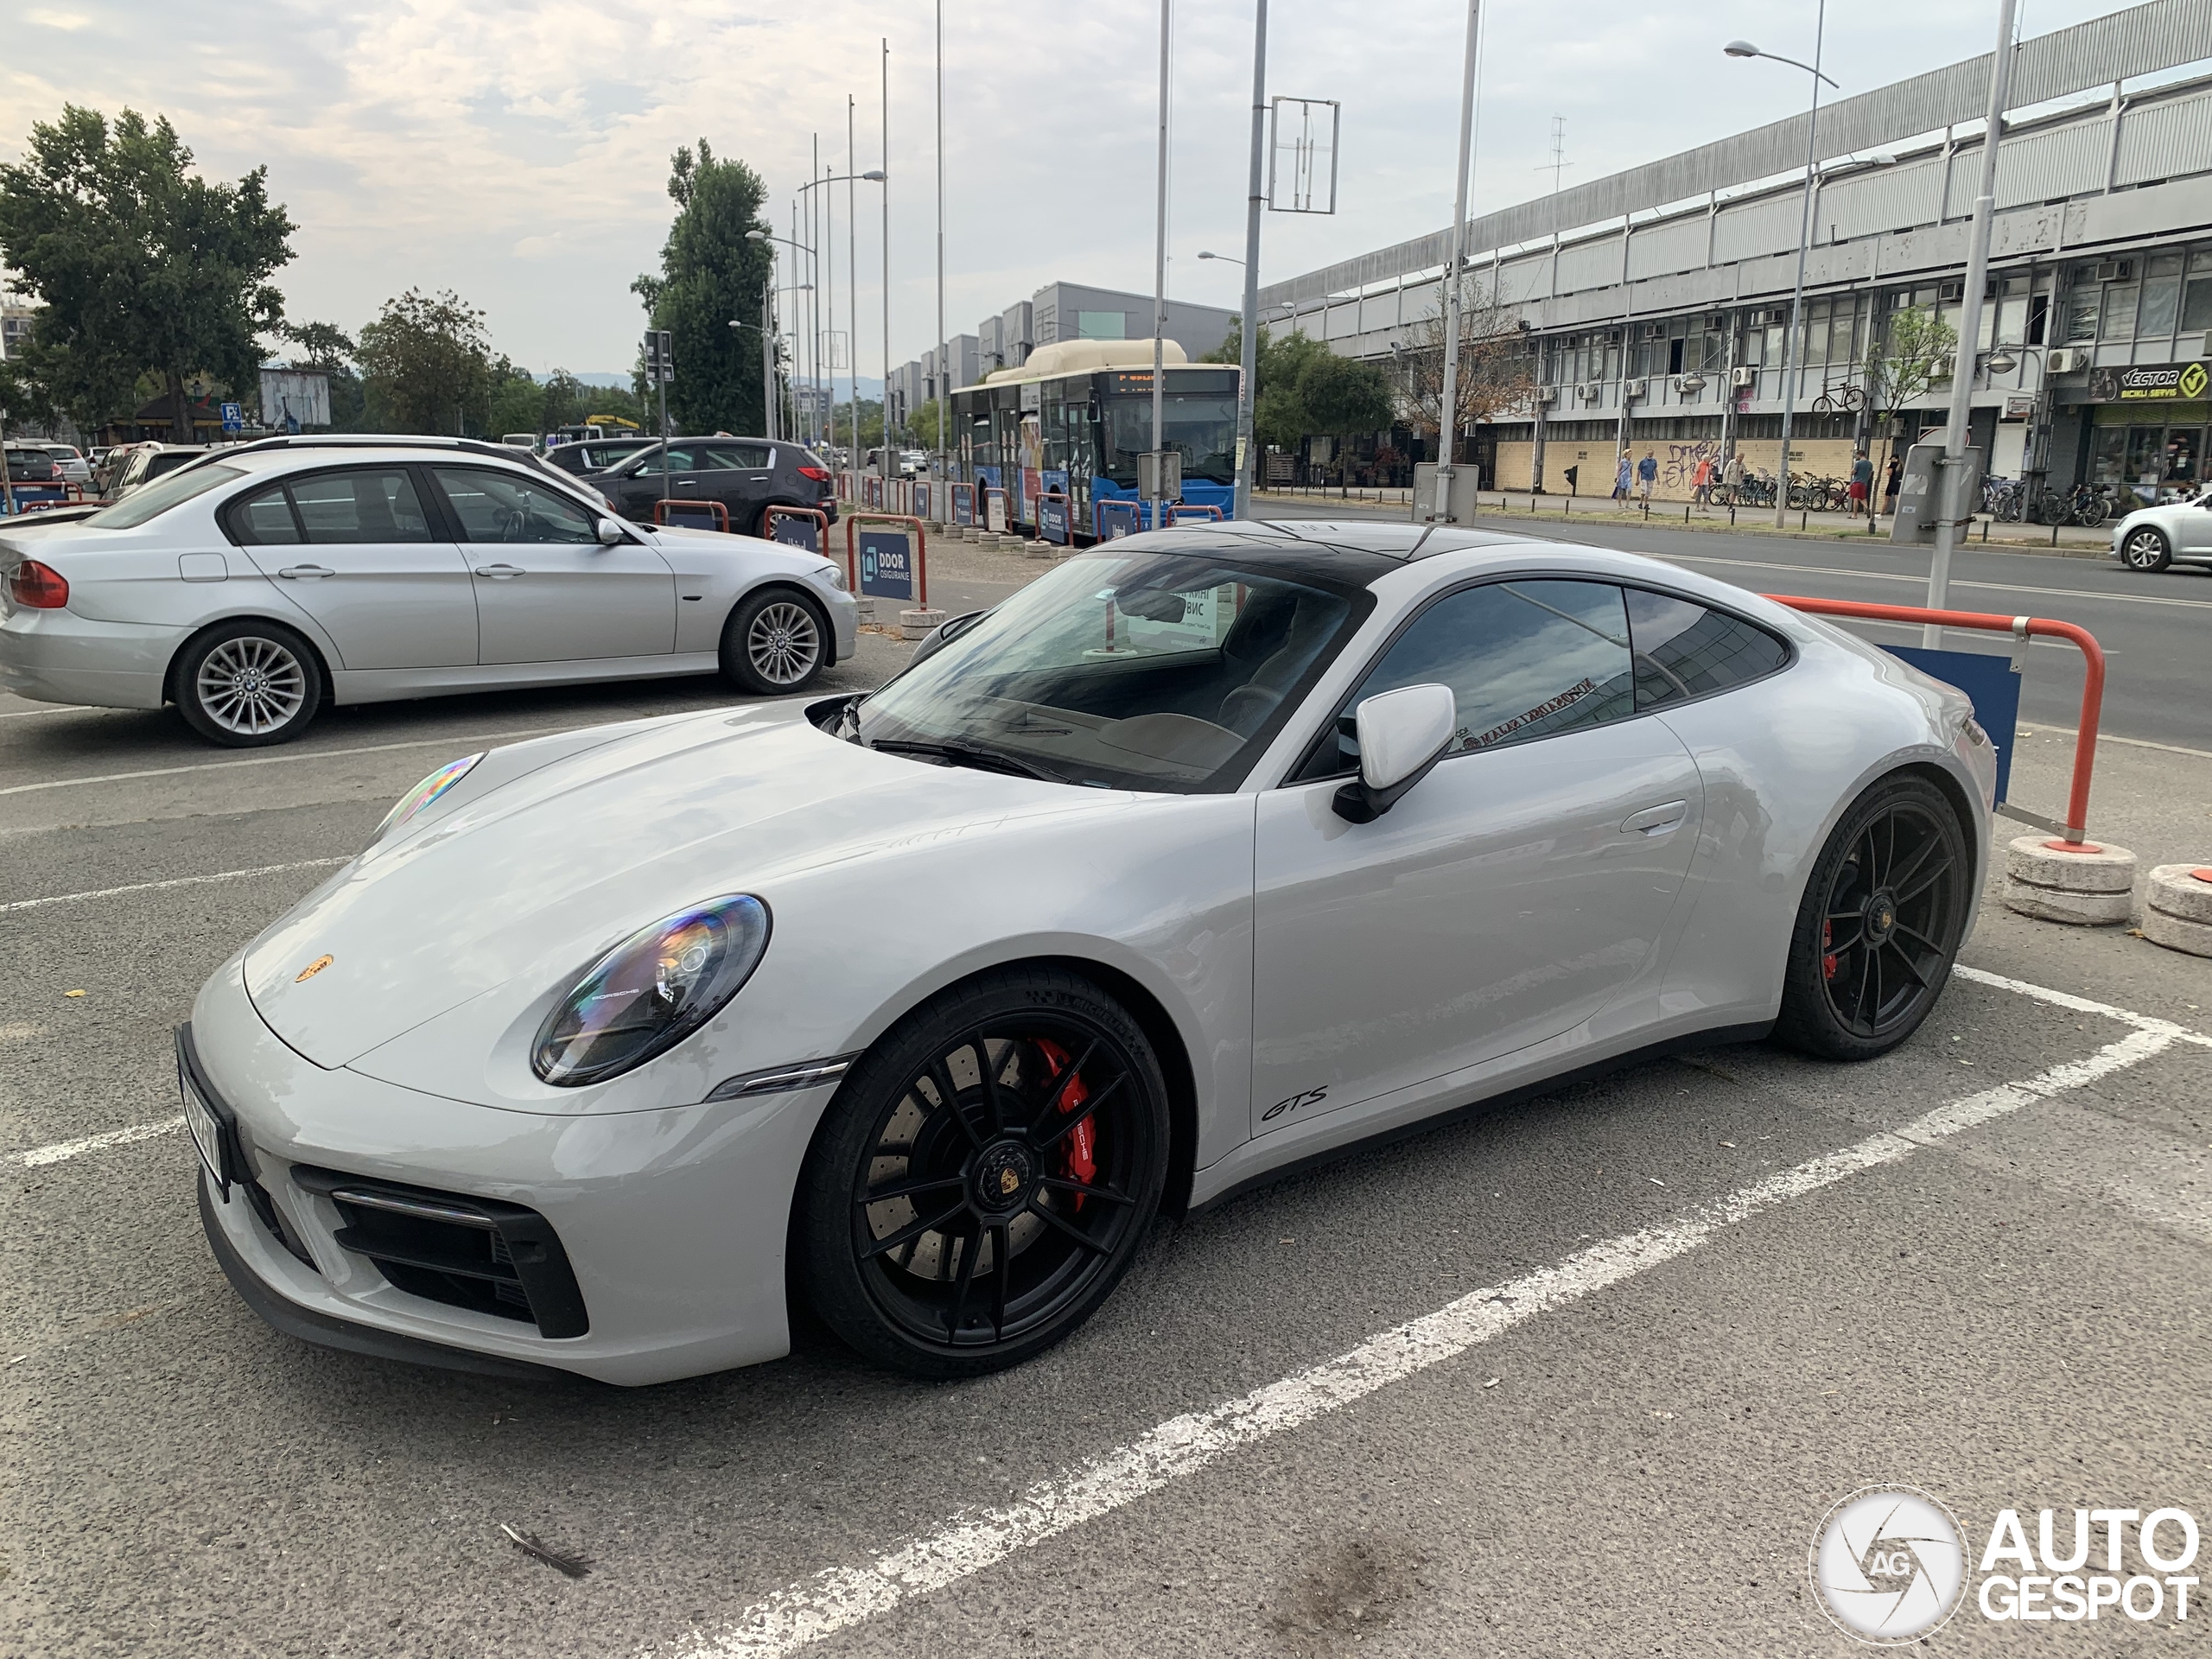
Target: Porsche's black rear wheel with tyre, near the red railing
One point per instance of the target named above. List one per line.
(1881, 924)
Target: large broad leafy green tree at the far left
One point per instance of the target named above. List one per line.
(140, 264)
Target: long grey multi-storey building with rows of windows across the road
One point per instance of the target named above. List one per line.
(1653, 304)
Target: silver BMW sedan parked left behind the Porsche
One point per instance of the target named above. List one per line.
(262, 583)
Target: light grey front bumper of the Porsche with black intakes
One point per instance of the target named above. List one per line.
(669, 1224)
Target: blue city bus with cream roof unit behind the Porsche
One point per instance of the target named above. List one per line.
(1078, 415)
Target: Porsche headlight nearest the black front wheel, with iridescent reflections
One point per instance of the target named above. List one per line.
(651, 992)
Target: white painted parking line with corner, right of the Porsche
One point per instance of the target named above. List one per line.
(848, 1596)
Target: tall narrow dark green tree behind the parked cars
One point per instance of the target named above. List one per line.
(711, 278)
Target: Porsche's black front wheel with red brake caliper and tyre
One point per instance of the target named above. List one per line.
(985, 1176)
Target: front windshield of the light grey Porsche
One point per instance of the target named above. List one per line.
(1131, 669)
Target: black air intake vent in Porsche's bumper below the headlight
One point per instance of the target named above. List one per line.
(457, 1249)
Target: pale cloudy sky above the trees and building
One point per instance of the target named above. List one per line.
(519, 154)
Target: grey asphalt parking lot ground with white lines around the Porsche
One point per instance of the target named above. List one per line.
(1574, 1377)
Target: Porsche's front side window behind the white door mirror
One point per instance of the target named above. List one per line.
(1523, 660)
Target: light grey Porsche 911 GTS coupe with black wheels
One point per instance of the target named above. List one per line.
(1211, 853)
